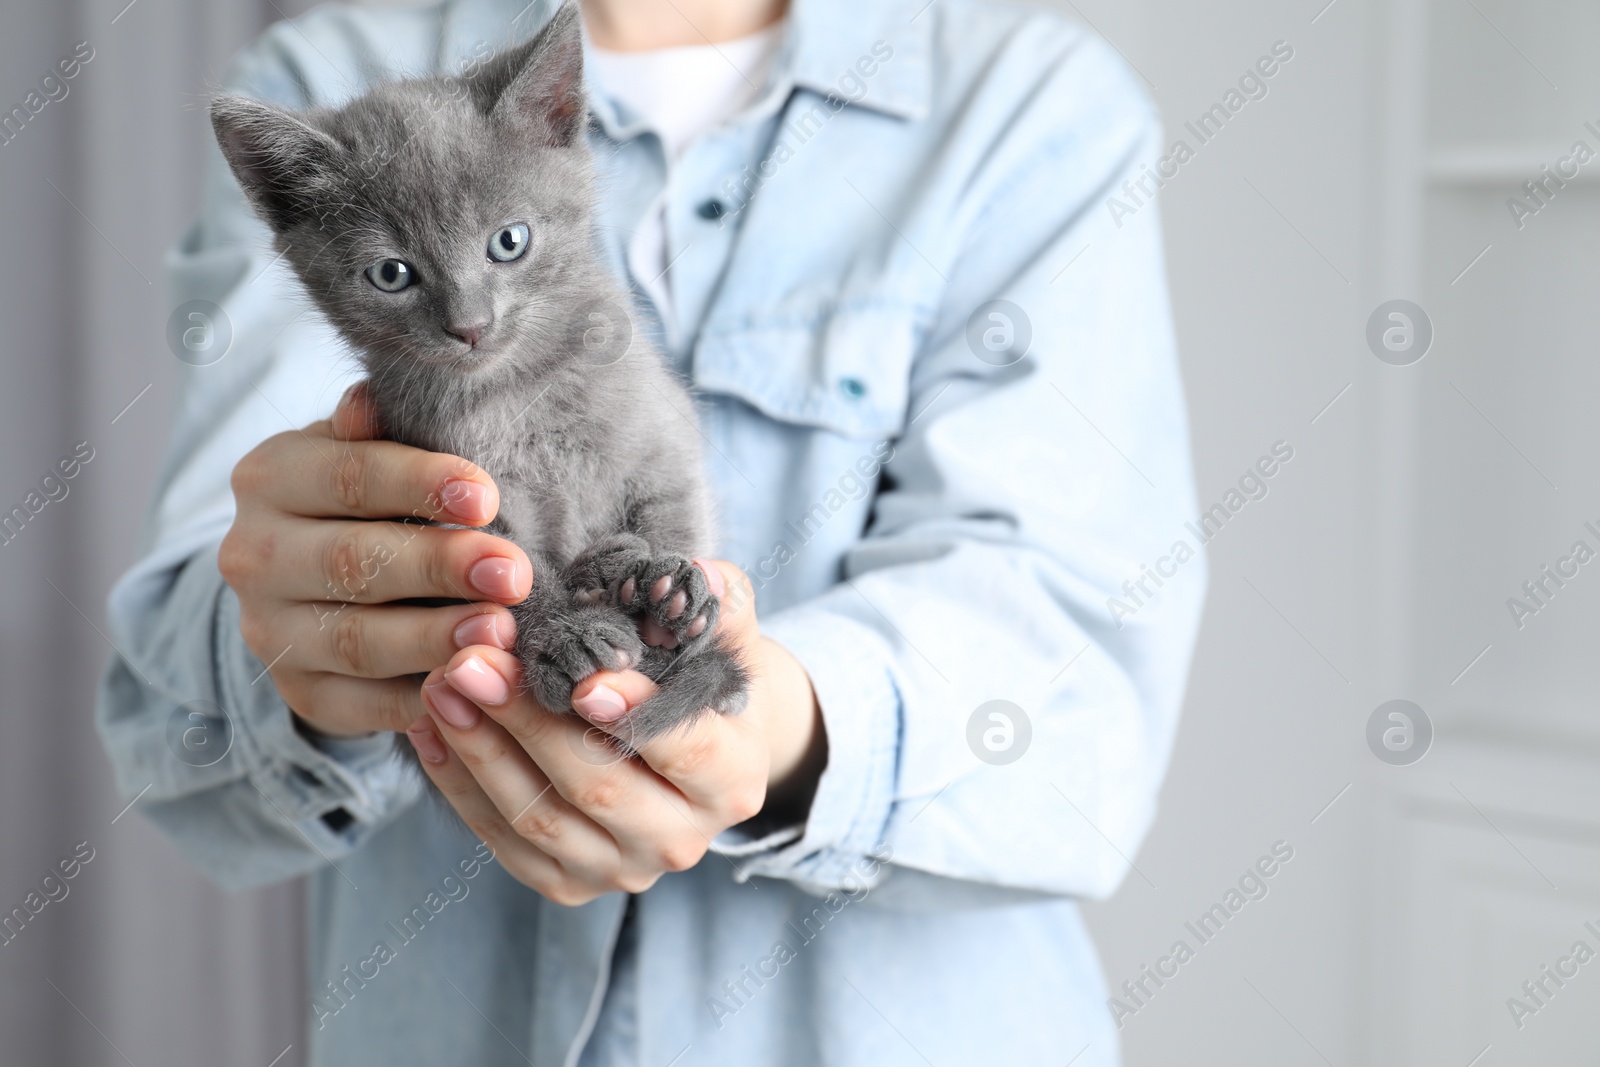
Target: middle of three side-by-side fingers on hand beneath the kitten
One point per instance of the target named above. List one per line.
(518, 788)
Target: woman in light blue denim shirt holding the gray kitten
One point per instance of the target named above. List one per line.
(946, 431)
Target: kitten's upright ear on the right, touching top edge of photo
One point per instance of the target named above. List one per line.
(543, 82)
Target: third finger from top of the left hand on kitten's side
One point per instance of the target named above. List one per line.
(388, 641)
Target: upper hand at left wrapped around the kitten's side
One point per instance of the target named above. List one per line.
(314, 569)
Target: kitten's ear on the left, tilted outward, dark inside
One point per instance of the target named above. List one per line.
(279, 161)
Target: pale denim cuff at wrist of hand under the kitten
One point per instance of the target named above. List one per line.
(850, 671)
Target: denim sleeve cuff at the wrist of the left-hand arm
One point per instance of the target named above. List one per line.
(337, 793)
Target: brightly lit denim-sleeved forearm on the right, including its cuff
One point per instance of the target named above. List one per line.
(898, 697)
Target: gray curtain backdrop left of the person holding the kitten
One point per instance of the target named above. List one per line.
(142, 959)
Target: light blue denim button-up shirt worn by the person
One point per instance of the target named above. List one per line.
(937, 498)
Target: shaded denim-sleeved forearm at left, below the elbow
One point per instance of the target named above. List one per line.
(196, 730)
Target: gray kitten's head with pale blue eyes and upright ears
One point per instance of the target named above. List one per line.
(436, 222)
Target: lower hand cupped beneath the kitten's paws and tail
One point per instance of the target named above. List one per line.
(567, 815)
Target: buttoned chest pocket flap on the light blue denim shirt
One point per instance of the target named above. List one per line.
(844, 370)
